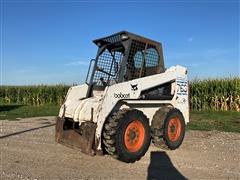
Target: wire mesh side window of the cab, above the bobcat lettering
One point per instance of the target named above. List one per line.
(137, 65)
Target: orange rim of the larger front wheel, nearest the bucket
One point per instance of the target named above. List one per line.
(134, 136)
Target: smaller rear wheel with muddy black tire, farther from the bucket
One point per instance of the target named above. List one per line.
(161, 137)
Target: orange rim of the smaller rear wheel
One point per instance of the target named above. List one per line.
(174, 129)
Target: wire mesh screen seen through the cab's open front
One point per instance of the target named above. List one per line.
(107, 64)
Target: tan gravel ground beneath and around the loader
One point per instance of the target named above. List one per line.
(28, 151)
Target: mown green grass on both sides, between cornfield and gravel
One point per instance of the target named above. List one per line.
(206, 120)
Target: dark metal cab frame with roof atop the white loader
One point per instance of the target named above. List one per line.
(126, 41)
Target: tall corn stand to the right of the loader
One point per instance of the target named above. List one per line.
(215, 94)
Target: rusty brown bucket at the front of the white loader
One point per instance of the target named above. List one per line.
(76, 138)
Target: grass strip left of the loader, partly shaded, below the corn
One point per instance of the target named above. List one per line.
(14, 111)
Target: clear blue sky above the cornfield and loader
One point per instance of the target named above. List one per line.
(50, 42)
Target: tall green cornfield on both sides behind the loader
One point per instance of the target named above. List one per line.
(209, 94)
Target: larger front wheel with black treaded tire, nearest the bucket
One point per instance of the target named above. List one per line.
(114, 135)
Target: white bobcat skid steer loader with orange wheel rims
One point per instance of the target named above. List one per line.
(128, 100)
